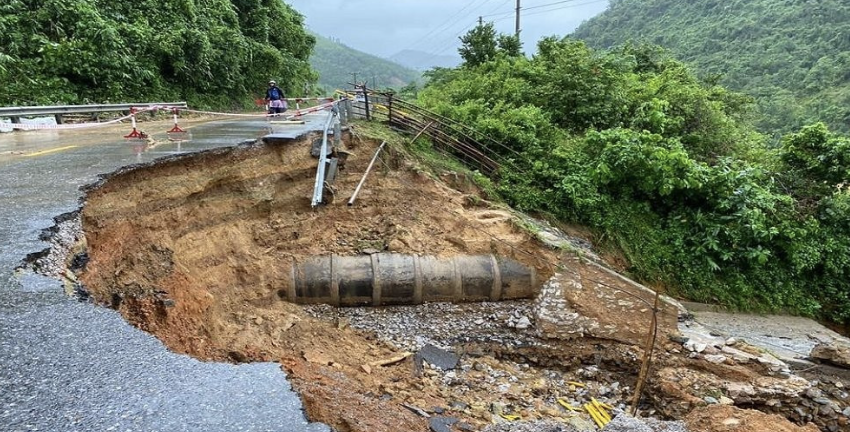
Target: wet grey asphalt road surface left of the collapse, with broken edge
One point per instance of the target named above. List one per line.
(72, 366)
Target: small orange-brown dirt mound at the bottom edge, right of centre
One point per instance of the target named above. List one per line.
(721, 418)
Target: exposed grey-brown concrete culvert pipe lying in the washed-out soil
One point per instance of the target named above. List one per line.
(395, 279)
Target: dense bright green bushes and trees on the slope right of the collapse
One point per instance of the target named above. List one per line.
(665, 168)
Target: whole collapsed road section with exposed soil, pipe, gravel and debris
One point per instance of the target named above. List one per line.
(217, 253)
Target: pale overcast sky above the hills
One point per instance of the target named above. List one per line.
(385, 27)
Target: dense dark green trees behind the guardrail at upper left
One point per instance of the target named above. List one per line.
(210, 53)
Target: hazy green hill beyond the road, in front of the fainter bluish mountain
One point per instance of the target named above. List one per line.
(336, 63)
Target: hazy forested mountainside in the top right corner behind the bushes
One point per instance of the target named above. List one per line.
(793, 56)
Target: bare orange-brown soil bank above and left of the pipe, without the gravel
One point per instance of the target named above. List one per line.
(194, 250)
